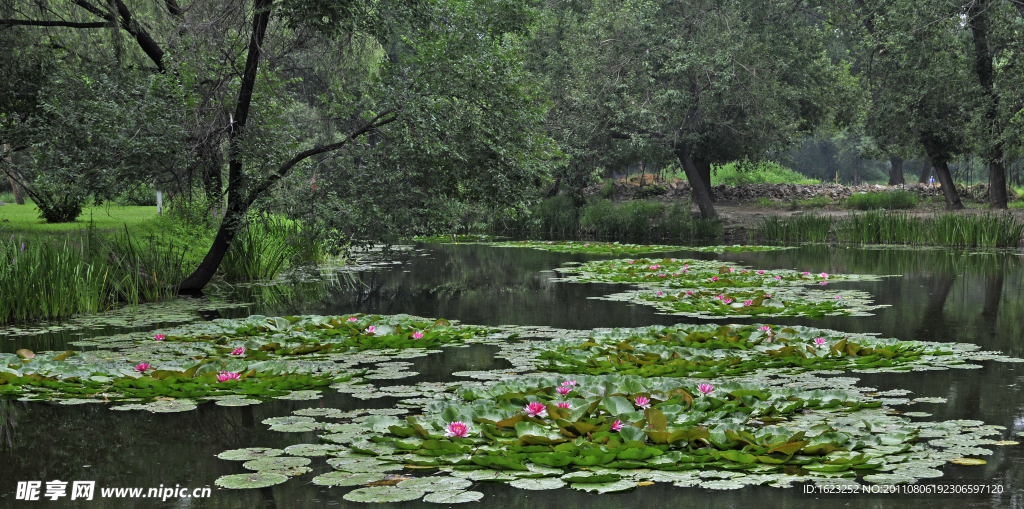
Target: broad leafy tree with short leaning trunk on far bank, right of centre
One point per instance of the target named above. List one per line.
(702, 82)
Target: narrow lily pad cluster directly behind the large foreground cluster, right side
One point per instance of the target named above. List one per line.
(716, 352)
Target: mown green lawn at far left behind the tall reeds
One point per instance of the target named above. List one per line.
(25, 219)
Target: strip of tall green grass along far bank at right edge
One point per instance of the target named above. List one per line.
(989, 231)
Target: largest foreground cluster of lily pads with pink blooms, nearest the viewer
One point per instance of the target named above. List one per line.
(611, 434)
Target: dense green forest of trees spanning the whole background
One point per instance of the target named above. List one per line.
(373, 120)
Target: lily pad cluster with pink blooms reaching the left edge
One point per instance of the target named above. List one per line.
(233, 362)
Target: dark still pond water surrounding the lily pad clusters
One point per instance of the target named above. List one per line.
(937, 295)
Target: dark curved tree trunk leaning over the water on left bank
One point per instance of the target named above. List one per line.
(238, 205)
